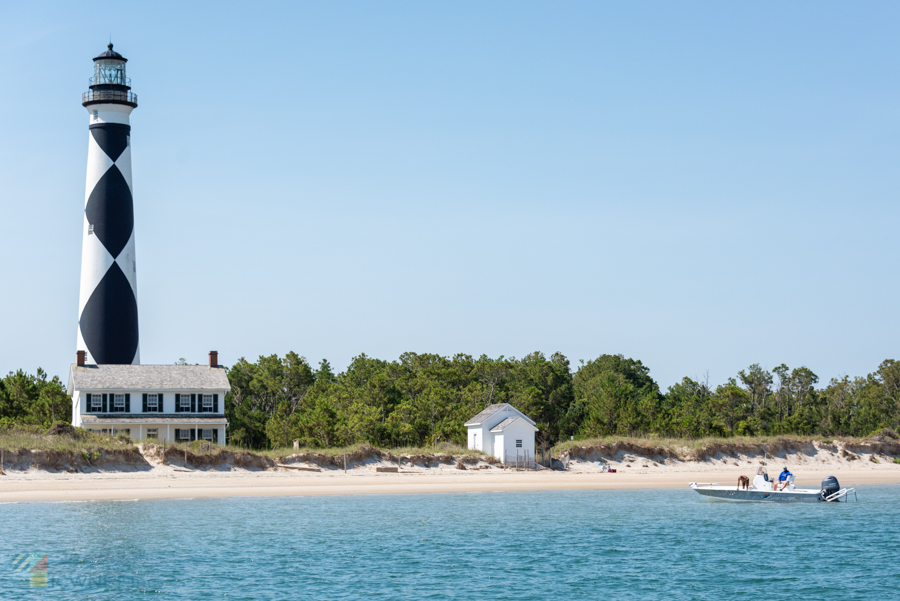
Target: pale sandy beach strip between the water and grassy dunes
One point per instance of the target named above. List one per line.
(169, 482)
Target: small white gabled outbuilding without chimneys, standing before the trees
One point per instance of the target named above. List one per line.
(503, 431)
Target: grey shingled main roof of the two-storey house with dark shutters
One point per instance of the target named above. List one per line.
(147, 377)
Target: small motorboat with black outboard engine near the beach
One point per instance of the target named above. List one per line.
(764, 490)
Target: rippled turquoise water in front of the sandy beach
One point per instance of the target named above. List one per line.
(668, 544)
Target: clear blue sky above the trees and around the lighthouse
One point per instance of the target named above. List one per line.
(701, 186)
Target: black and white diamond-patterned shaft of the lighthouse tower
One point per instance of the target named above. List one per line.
(107, 313)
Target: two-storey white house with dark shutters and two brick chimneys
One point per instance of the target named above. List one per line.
(176, 403)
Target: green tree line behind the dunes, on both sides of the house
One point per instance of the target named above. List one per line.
(424, 399)
